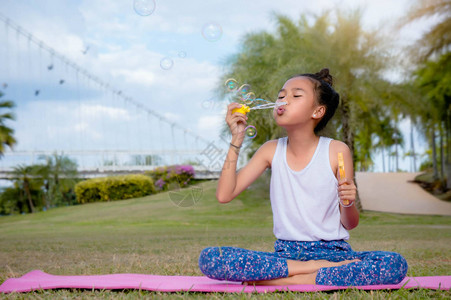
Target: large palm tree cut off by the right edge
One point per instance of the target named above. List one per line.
(433, 77)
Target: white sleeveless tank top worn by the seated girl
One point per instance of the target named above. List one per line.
(305, 203)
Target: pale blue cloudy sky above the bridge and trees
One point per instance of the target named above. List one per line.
(125, 50)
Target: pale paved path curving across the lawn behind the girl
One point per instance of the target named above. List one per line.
(392, 192)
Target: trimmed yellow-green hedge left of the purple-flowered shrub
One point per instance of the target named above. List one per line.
(114, 188)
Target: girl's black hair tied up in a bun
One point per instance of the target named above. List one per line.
(325, 95)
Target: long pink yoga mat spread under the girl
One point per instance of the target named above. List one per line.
(37, 280)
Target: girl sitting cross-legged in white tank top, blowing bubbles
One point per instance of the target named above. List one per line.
(311, 222)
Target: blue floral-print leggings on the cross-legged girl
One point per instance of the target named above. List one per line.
(236, 264)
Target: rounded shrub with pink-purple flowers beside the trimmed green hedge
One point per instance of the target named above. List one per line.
(177, 175)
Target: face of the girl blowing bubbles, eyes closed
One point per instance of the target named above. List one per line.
(299, 94)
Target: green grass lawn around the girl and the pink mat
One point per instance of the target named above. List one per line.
(151, 235)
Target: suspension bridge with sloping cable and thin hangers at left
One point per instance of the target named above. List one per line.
(65, 109)
